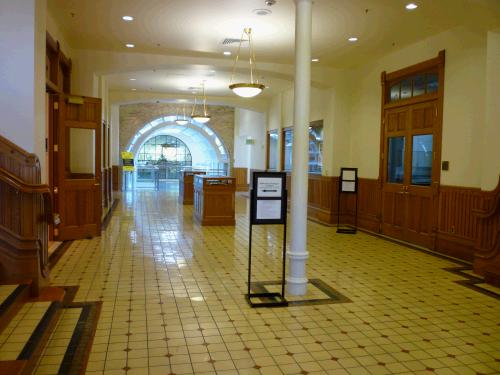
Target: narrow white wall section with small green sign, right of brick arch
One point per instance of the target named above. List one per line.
(249, 125)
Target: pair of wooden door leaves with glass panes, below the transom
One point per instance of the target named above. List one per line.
(411, 173)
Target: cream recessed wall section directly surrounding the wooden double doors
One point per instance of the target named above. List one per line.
(463, 112)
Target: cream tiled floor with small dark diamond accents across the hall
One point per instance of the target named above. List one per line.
(173, 301)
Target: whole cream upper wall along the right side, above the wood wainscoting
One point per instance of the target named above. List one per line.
(351, 109)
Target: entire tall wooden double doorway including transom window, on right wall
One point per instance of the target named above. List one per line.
(411, 151)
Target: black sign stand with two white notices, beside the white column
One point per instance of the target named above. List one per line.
(268, 191)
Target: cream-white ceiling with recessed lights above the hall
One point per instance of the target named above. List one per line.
(196, 29)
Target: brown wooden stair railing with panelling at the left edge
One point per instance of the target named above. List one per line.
(25, 213)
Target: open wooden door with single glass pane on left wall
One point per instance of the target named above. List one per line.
(77, 166)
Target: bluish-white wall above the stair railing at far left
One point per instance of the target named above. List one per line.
(22, 74)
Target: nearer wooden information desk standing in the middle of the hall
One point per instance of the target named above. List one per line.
(214, 200)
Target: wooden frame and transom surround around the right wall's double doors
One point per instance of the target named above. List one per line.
(436, 64)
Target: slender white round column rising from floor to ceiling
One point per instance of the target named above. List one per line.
(297, 280)
